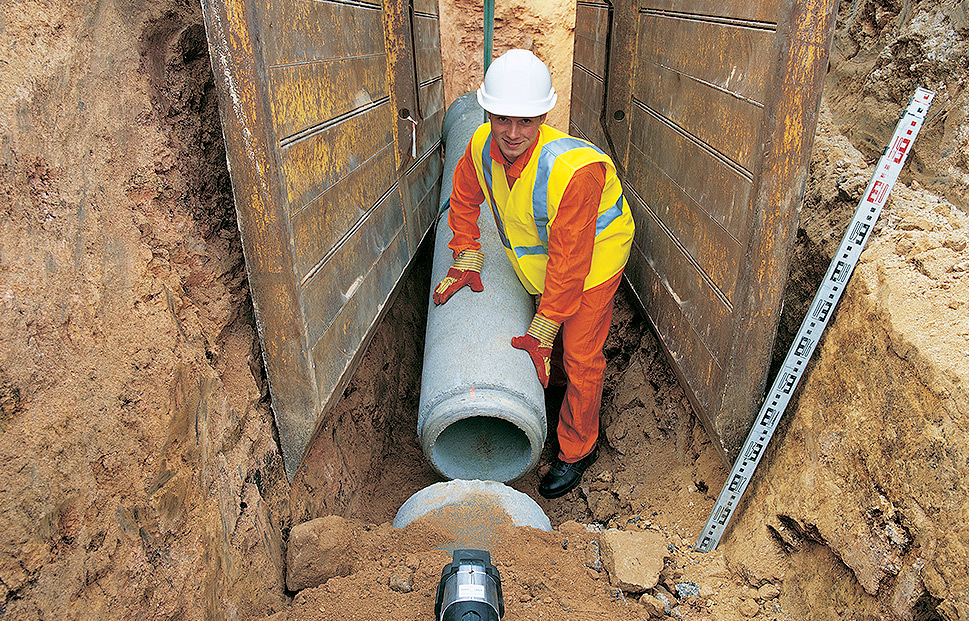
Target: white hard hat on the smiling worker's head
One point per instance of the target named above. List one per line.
(517, 84)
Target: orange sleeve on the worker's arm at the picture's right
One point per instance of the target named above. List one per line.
(571, 239)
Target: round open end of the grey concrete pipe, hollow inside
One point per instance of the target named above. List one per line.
(483, 447)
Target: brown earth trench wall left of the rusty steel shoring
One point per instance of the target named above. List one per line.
(141, 476)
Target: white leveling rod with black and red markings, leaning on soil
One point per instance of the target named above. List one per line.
(843, 264)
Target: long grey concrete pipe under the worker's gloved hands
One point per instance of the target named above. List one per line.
(482, 409)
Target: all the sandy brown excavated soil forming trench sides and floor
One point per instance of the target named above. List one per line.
(143, 478)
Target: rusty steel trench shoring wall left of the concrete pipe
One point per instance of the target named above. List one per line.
(332, 203)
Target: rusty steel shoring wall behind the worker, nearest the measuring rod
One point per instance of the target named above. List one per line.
(709, 110)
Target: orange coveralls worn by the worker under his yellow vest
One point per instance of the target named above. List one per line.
(585, 315)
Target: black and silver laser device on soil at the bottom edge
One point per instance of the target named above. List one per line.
(470, 589)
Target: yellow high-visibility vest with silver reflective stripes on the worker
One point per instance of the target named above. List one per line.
(525, 212)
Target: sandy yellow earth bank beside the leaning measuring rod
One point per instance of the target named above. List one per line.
(866, 476)
